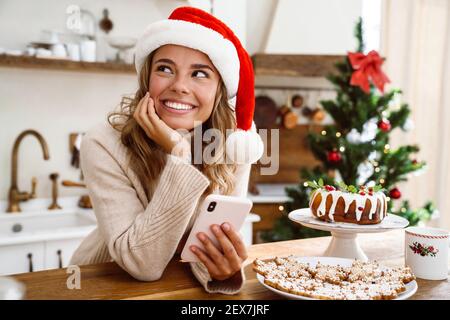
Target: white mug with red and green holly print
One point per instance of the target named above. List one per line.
(426, 252)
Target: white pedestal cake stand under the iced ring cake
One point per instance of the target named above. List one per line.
(344, 243)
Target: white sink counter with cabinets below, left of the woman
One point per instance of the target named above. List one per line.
(36, 238)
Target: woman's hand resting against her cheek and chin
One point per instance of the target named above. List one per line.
(169, 139)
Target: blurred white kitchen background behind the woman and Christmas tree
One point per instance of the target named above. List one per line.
(64, 65)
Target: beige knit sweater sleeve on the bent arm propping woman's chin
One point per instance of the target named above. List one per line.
(142, 240)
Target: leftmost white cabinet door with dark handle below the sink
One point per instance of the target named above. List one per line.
(22, 258)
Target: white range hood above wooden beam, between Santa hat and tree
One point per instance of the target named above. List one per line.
(313, 27)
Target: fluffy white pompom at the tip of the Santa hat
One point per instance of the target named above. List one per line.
(244, 147)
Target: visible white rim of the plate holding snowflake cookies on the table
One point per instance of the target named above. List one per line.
(411, 287)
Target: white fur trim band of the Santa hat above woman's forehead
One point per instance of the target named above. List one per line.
(221, 51)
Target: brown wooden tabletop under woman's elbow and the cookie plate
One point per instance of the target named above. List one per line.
(109, 281)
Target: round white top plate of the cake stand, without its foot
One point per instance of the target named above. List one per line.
(305, 217)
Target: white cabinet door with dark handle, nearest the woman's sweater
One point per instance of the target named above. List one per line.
(59, 252)
